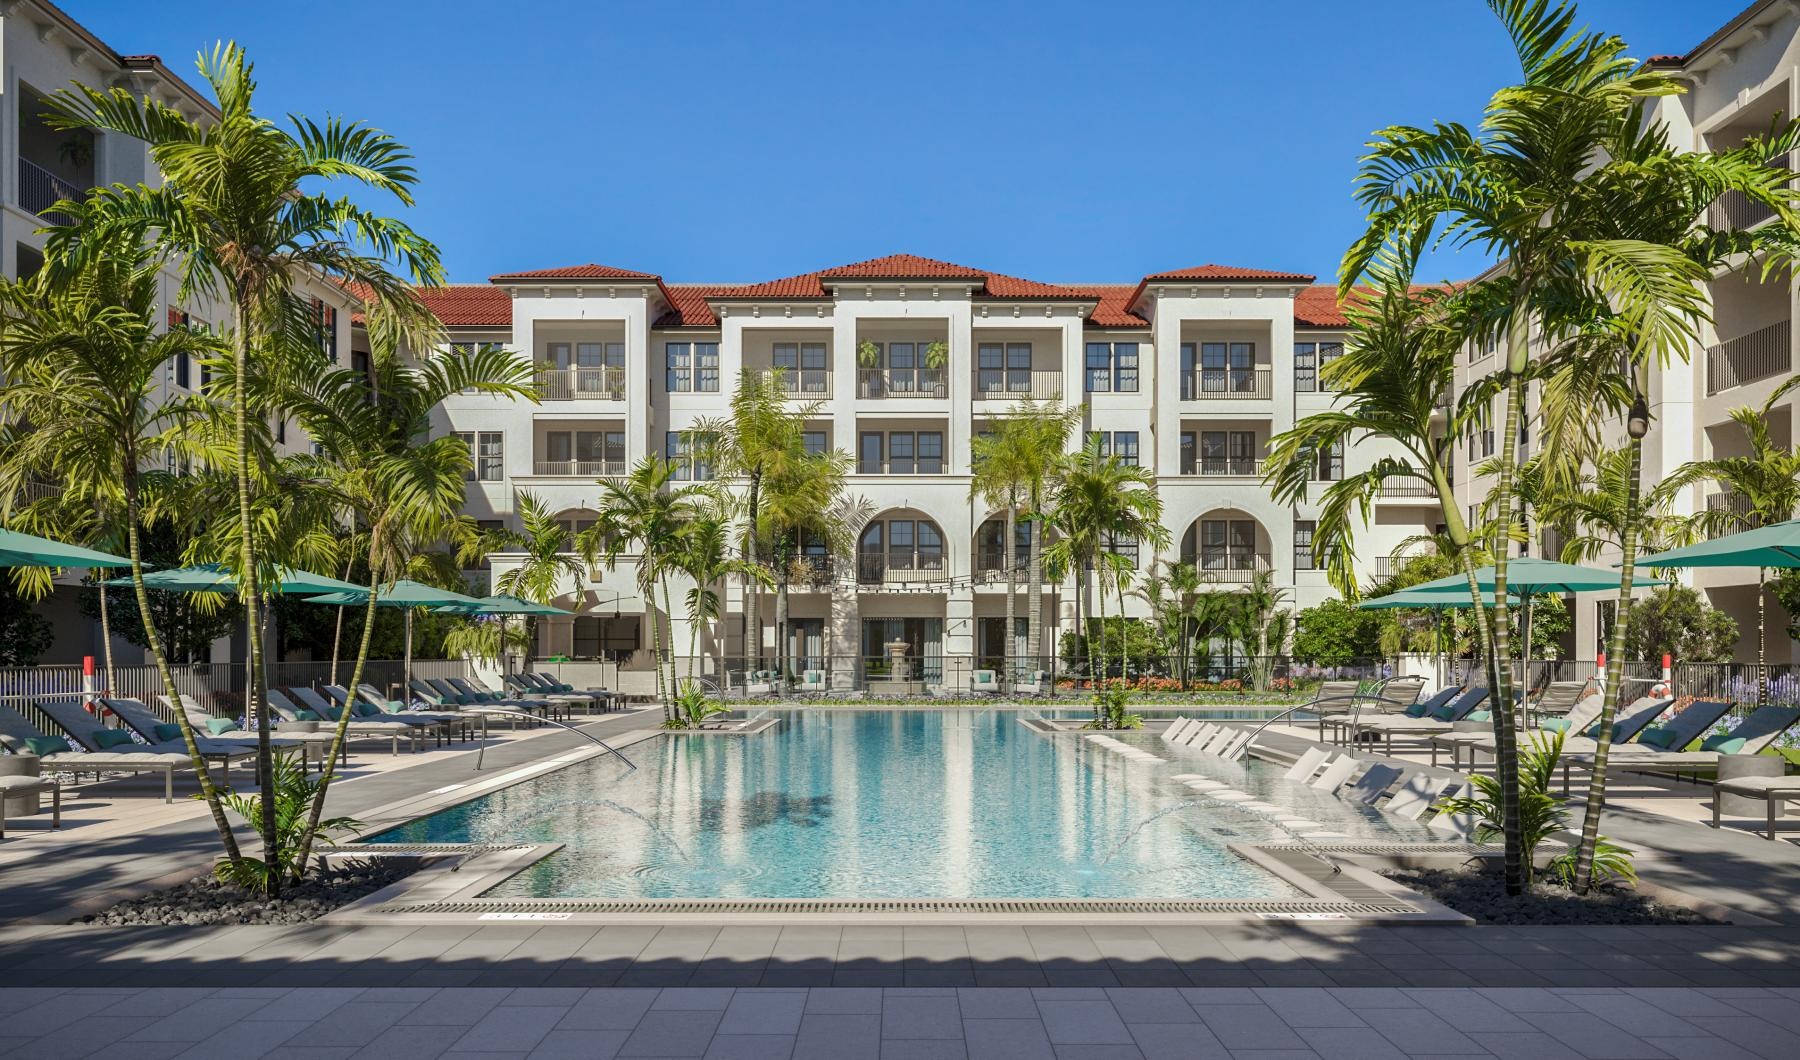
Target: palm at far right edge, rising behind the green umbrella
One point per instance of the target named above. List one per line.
(1761, 489)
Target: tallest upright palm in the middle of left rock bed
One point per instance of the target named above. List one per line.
(238, 213)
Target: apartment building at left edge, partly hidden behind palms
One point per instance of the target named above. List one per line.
(42, 51)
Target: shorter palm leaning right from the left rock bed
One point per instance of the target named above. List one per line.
(377, 462)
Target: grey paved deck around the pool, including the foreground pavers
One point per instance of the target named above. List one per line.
(805, 989)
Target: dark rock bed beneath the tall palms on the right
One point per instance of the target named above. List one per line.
(1482, 895)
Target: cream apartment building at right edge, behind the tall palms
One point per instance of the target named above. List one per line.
(1740, 82)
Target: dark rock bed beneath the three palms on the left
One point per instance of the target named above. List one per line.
(206, 901)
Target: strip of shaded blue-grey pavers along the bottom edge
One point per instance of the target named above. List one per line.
(899, 1023)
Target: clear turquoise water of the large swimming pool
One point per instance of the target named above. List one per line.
(886, 805)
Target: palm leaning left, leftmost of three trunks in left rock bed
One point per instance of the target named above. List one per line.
(84, 408)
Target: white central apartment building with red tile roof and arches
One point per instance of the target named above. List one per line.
(1187, 373)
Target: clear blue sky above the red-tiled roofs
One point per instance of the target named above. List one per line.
(730, 143)
